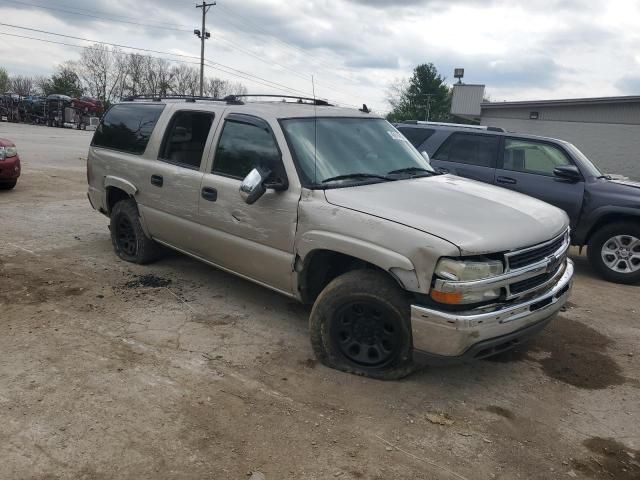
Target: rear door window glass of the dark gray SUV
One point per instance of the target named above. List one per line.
(480, 150)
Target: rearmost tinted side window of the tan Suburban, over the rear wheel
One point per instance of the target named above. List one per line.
(127, 127)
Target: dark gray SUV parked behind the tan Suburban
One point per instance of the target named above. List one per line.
(604, 213)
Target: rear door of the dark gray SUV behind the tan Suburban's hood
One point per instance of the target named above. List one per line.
(468, 155)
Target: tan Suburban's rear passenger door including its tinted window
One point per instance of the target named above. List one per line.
(172, 190)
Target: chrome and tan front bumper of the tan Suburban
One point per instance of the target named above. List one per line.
(446, 337)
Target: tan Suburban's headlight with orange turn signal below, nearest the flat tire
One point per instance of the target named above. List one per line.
(464, 271)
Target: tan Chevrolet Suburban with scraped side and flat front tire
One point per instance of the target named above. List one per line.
(335, 208)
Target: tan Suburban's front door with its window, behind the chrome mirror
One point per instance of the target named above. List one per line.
(256, 240)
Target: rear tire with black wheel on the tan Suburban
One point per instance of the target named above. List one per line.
(127, 236)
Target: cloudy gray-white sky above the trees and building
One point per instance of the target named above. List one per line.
(354, 49)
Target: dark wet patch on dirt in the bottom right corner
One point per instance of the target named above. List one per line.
(611, 460)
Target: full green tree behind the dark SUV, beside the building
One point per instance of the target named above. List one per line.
(425, 96)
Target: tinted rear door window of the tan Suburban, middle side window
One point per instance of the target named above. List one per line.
(186, 137)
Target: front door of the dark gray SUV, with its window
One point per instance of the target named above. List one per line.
(527, 166)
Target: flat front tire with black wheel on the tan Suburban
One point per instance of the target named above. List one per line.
(360, 324)
